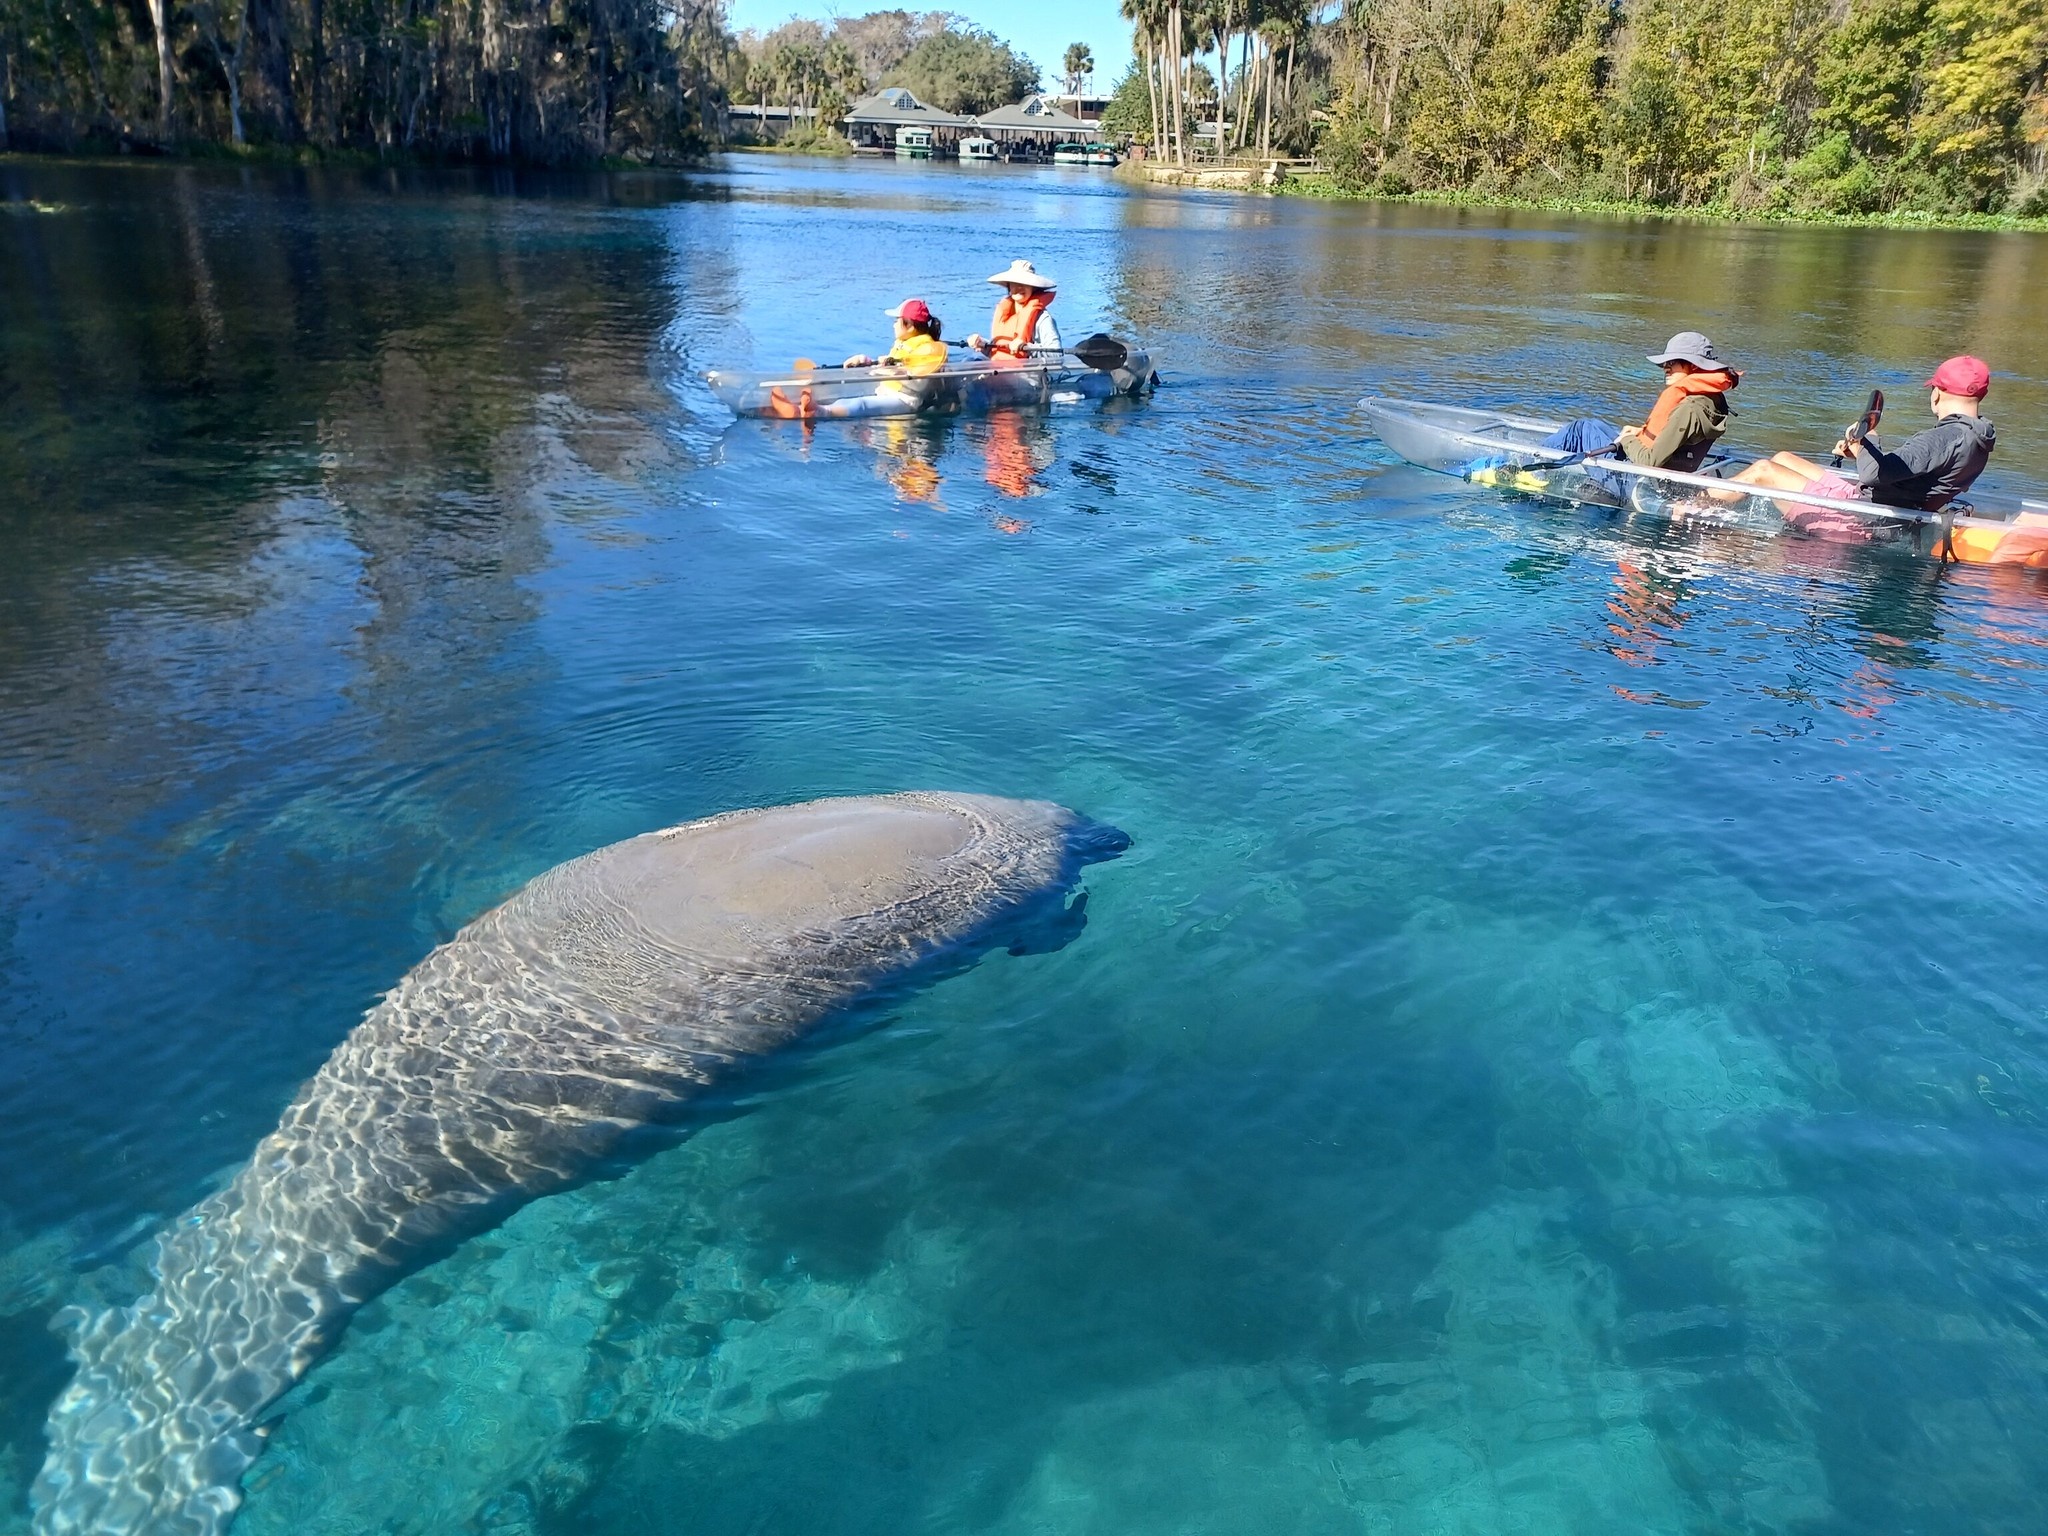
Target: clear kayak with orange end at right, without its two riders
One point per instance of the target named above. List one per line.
(1506, 452)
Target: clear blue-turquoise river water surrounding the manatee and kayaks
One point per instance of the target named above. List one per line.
(1564, 1056)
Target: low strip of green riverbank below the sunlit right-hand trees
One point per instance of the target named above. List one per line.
(1314, 185)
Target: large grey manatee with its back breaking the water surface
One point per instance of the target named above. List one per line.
(548, 1043)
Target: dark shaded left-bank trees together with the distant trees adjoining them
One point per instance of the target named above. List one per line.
(476, 81)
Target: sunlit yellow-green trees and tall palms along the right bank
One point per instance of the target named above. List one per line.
(1750, 105)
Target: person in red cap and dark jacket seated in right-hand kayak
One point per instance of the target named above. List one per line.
(1924, 474)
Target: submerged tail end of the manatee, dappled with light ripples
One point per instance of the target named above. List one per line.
(157, 1428)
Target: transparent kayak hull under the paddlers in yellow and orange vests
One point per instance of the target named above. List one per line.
(966, 388)
